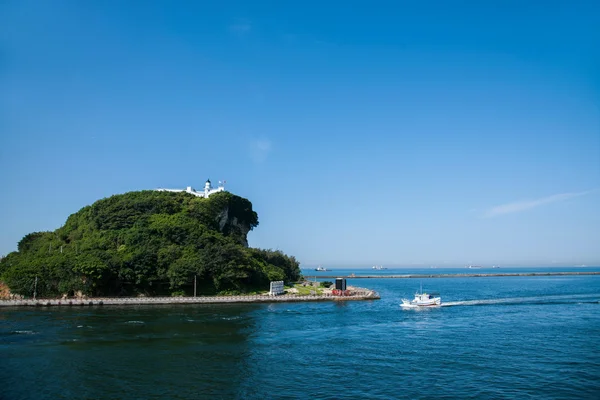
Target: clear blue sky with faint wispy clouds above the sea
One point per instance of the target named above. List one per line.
(395, 133)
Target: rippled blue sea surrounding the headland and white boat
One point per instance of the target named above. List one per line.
(527, 337)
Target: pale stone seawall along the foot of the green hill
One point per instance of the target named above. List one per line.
(124, 301)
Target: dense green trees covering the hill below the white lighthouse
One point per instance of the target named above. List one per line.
(148, 242)
